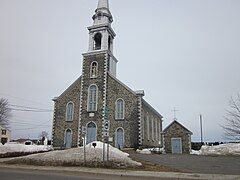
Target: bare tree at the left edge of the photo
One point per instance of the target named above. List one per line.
(5, 113)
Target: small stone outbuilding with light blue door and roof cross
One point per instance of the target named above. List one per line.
(177, 139)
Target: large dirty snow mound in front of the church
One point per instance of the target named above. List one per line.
(75, 157)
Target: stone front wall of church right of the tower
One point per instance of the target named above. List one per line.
(115, 91)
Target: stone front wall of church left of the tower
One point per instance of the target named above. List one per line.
(59, 121)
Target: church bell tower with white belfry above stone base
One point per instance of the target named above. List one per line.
(98, 62)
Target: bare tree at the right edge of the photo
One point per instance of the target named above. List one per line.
(232, 119)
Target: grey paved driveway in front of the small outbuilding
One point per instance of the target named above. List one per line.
(194, 163)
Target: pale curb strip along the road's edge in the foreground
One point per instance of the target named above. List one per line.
(124, 173)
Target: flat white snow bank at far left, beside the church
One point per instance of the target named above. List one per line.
(13, 147)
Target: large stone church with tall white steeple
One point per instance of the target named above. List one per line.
(98, 105)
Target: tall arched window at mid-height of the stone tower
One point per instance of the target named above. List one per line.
(92, 98)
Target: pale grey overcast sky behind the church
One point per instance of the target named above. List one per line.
(183, 53)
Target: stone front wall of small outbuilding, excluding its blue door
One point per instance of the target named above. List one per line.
(177, 131)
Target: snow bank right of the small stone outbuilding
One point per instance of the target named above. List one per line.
(223, 149)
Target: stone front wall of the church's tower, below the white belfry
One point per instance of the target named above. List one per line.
(96, 116)
